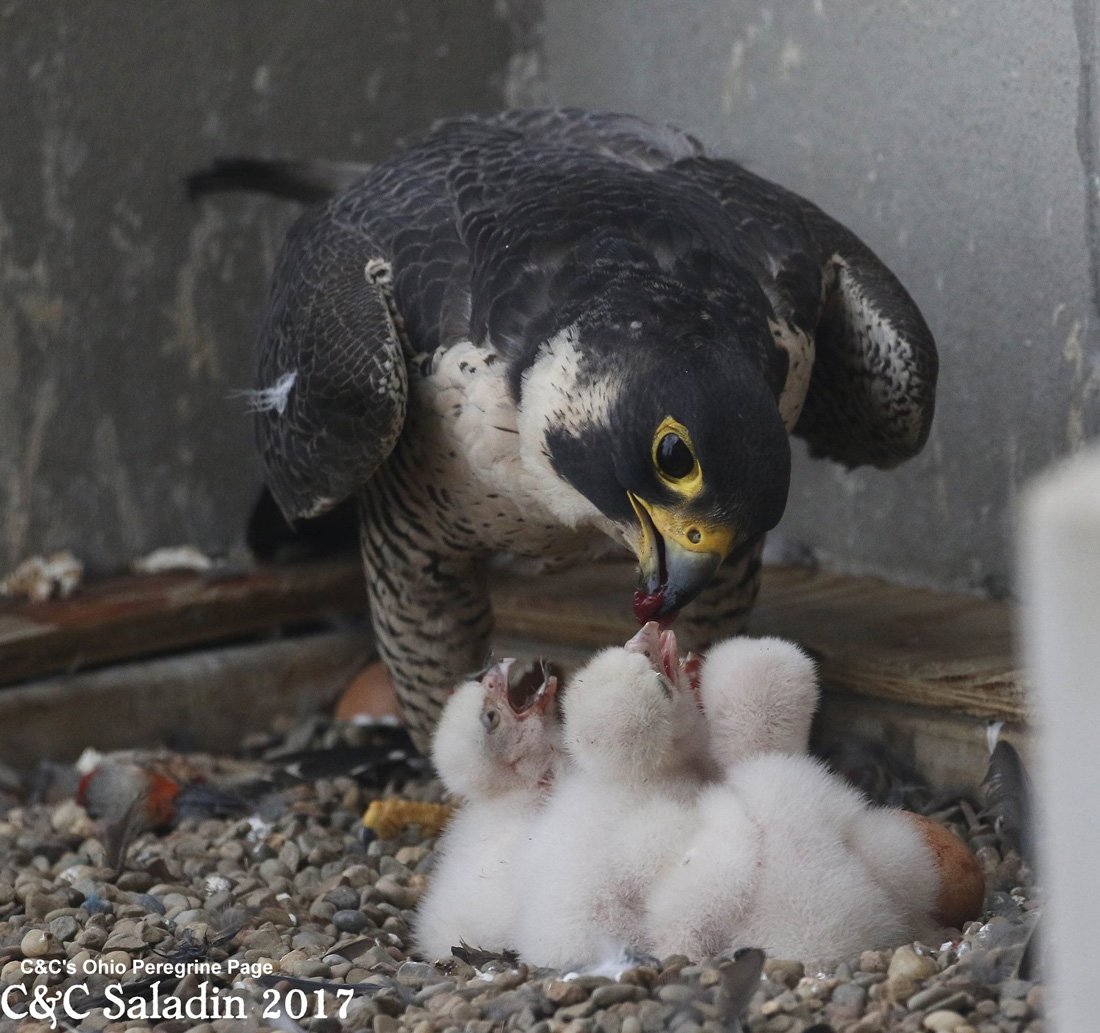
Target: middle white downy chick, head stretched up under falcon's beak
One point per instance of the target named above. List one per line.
(615, 819)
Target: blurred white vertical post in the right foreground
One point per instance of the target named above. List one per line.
(1061, 579)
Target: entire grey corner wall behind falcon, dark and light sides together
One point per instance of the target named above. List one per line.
(960, 140)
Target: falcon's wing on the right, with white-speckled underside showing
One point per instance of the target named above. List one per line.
(872, 391)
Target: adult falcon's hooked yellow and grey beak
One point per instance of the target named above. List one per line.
(677, 555)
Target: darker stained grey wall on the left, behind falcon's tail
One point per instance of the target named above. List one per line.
(127, 314)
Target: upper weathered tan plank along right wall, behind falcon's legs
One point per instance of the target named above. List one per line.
(885, 642)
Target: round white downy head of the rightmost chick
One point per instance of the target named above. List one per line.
(760, 696)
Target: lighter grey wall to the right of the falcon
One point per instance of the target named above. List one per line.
(961, 141)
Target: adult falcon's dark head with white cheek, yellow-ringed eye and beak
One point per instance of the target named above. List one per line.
(675, 445)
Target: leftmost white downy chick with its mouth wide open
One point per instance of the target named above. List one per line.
(498, 746)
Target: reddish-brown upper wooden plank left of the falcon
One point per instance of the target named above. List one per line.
(150, 614)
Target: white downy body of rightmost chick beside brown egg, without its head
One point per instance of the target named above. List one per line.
(789, 859)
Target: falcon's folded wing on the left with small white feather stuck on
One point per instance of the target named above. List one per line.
(333, 379)
